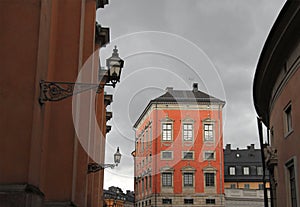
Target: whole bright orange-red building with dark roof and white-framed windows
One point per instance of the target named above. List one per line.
(178, 153)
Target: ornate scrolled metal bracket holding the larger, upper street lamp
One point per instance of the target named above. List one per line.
(56, 91)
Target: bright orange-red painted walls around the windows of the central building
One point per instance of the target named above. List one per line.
(177, 163)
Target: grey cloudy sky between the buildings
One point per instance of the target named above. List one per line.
(174, 43)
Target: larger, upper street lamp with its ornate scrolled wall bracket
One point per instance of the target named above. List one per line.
(56, 91)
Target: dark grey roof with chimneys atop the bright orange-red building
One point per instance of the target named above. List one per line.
(193, 96)
